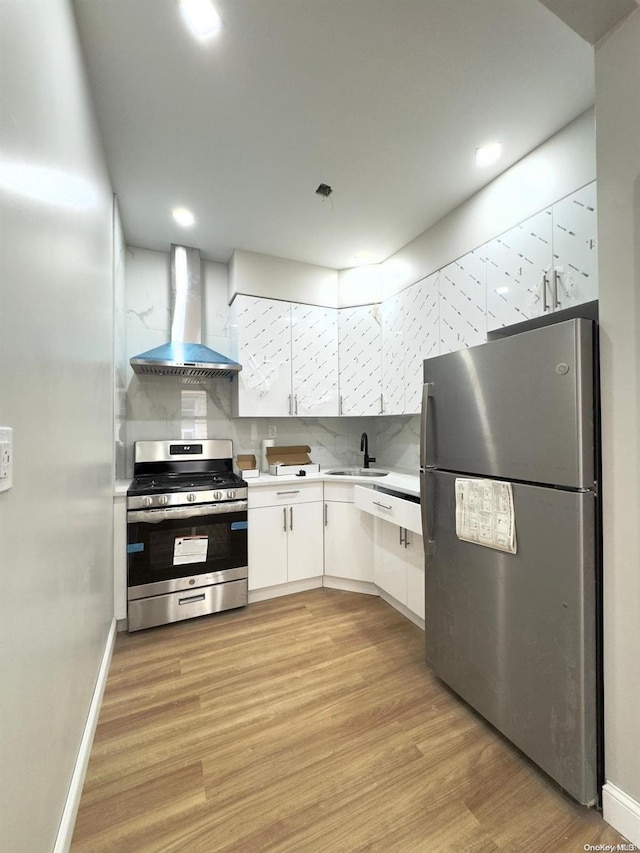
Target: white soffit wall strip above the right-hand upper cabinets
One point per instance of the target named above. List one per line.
(559, 166)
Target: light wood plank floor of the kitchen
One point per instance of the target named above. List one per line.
(306, 723)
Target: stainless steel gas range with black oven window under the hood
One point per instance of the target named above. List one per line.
(186, 532)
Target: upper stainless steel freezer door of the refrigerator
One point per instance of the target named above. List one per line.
(519, 408)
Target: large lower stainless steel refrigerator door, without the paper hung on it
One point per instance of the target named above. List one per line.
(515, 634)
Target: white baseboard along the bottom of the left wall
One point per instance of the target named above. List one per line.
(67, 823)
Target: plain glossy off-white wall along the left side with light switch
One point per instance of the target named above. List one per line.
(56, 391)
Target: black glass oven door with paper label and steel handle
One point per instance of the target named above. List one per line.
(186, 542)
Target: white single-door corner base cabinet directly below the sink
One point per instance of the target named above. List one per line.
(348, 535)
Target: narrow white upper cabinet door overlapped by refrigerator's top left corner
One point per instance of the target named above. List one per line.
(421, 336)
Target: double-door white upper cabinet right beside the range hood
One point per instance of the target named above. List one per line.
(289, 357)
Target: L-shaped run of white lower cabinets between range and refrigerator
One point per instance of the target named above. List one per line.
(353, 534)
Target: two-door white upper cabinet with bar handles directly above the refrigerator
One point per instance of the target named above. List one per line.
(547, 263)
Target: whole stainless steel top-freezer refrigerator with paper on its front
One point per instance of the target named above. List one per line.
(516, 635)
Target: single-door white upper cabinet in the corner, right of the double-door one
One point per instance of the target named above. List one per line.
(360, 358)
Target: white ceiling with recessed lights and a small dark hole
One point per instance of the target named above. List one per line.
(385, 100)
